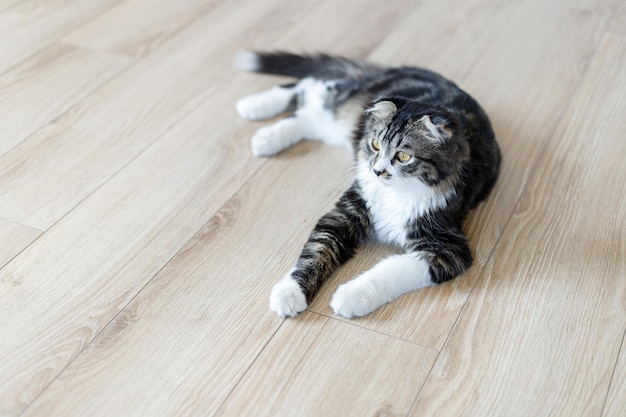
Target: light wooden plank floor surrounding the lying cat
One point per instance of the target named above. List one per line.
(139, 238)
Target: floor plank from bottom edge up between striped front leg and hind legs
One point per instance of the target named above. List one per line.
(214, 300)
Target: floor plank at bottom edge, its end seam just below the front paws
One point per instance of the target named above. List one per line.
(305, 358)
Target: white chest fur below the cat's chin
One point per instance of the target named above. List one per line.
(394, 203)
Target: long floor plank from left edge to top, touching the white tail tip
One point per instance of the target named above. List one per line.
(54, 169)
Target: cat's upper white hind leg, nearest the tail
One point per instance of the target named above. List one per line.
(268, 104)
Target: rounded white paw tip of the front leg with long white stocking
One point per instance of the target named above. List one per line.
(355, 298)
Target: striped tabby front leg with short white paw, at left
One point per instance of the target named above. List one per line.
(331, 243)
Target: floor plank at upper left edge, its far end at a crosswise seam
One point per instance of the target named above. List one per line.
(47, 85)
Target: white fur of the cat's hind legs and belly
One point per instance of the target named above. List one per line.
(311, 121)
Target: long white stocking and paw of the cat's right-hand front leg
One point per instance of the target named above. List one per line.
(388, 280)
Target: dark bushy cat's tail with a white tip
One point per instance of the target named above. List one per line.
(320, 66)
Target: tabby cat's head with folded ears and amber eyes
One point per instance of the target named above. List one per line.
(403, 139)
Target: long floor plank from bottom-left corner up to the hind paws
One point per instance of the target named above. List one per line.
(75, 279)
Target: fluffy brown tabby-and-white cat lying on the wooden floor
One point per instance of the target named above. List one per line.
(425, 155)
